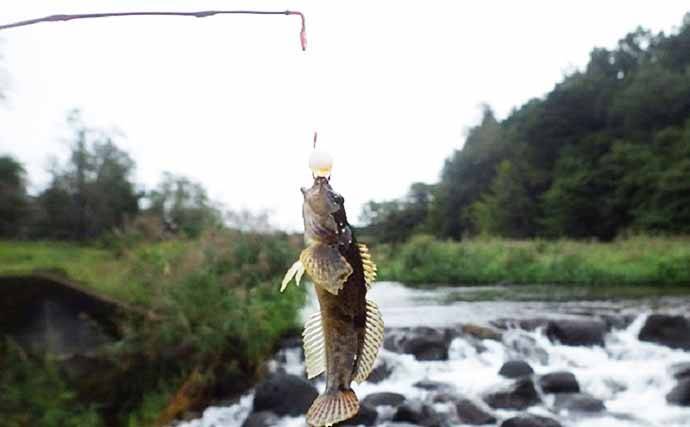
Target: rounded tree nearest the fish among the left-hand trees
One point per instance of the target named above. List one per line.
(183, 205)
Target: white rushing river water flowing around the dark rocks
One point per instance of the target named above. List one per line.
(630, 376)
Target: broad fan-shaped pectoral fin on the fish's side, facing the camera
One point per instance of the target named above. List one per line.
(326, 267)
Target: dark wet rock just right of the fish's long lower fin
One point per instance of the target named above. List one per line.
(422, 342)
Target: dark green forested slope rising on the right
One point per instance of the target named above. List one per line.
(607, 151)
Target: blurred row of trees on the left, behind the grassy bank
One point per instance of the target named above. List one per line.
(93, 194)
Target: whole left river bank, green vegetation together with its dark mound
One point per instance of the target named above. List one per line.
(205, 318)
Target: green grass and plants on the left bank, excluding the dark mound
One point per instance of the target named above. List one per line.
(215, 299)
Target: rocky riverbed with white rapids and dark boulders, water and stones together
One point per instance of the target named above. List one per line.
(522, 364)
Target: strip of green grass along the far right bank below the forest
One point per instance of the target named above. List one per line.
(634, 261)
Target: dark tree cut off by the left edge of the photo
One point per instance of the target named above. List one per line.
(13, 197)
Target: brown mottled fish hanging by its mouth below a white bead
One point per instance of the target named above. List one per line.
(342, 339)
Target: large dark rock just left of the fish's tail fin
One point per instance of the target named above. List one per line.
(284, 395)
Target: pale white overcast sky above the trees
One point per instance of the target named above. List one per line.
(232, 101)
